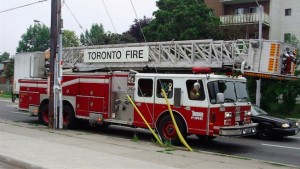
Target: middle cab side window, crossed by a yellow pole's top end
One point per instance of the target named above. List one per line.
(167, 85)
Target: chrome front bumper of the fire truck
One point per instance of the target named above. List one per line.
(240, 130)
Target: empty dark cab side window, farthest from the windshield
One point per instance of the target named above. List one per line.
(145, 88)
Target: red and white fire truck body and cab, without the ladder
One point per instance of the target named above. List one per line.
(222, 108)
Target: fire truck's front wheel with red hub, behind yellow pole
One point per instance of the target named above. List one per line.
(167, 130)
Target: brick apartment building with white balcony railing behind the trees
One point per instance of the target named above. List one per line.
(281, 18)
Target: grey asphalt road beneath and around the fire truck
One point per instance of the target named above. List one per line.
(286, 150)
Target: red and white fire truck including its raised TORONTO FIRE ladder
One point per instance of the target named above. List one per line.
(203, 103)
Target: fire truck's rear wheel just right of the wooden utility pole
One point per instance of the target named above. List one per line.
(69, 119)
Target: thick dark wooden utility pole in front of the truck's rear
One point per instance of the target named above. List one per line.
(53, 49)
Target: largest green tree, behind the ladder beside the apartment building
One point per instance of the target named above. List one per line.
(182, 20)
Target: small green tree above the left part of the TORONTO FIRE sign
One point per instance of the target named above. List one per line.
(95, 36)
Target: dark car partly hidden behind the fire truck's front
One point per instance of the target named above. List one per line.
(272, 127)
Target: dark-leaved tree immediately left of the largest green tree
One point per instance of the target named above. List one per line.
(135, 29)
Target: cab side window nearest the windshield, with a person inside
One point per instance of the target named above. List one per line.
(195, 89)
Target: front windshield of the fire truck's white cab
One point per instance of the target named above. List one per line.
(233, 91)
